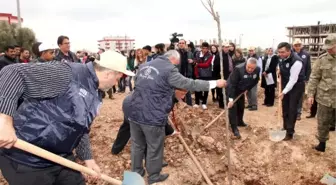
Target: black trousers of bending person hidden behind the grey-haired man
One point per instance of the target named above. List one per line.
(124, 135)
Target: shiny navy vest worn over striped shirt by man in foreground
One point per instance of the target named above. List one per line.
(57, 124)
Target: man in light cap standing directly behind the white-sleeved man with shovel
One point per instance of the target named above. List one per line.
(305, 56)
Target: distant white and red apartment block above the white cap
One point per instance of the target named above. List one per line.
(117, 43)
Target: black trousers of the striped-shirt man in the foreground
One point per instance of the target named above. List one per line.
(17, 174)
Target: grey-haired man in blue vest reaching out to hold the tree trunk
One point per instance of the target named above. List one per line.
(150, 105)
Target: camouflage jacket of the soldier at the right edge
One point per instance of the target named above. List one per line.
(323, 81)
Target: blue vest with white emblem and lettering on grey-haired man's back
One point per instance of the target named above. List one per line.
(151, 99)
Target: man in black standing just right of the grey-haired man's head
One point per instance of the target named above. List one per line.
(186, 65)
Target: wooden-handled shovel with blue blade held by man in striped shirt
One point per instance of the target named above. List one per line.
(130, 178)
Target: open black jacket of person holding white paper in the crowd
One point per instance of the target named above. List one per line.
(271, 69)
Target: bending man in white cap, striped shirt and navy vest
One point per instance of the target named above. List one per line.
(60, 102)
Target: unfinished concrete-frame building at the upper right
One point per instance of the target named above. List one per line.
(312, 36)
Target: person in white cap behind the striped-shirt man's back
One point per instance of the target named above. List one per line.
(44, 52)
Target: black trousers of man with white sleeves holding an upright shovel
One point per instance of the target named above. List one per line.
(290, 105)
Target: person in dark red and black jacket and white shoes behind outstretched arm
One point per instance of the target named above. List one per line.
(203, 71)
